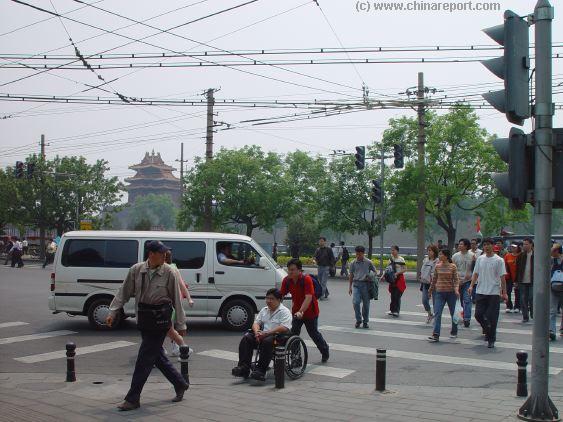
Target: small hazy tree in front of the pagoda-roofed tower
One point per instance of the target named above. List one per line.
(158, 210)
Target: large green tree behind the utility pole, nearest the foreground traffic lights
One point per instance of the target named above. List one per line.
(459, 160)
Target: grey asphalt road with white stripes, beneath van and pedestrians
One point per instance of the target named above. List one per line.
(32, 340)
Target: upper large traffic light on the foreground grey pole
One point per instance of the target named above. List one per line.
(513, 67)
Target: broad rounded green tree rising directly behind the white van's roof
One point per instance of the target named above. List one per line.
(246, 186)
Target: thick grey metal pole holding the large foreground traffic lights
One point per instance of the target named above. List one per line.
(539, 406)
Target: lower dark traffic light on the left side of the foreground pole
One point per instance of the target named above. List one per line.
(520, 176)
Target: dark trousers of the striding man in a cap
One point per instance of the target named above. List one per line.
(152, 354)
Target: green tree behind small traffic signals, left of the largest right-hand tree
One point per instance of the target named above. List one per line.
(345, 200)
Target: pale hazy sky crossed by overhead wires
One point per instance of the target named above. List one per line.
(121, 133)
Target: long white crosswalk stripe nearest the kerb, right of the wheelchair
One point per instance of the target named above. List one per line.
(453, 360)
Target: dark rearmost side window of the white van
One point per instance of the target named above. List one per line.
(100, 253)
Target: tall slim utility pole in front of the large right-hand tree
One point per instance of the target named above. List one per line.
(421, 185)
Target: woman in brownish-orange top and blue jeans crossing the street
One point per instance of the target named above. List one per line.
(445, 289)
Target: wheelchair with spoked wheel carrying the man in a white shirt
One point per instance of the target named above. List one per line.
(295, 354)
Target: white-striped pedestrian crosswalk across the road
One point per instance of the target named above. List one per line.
(410, 330)
